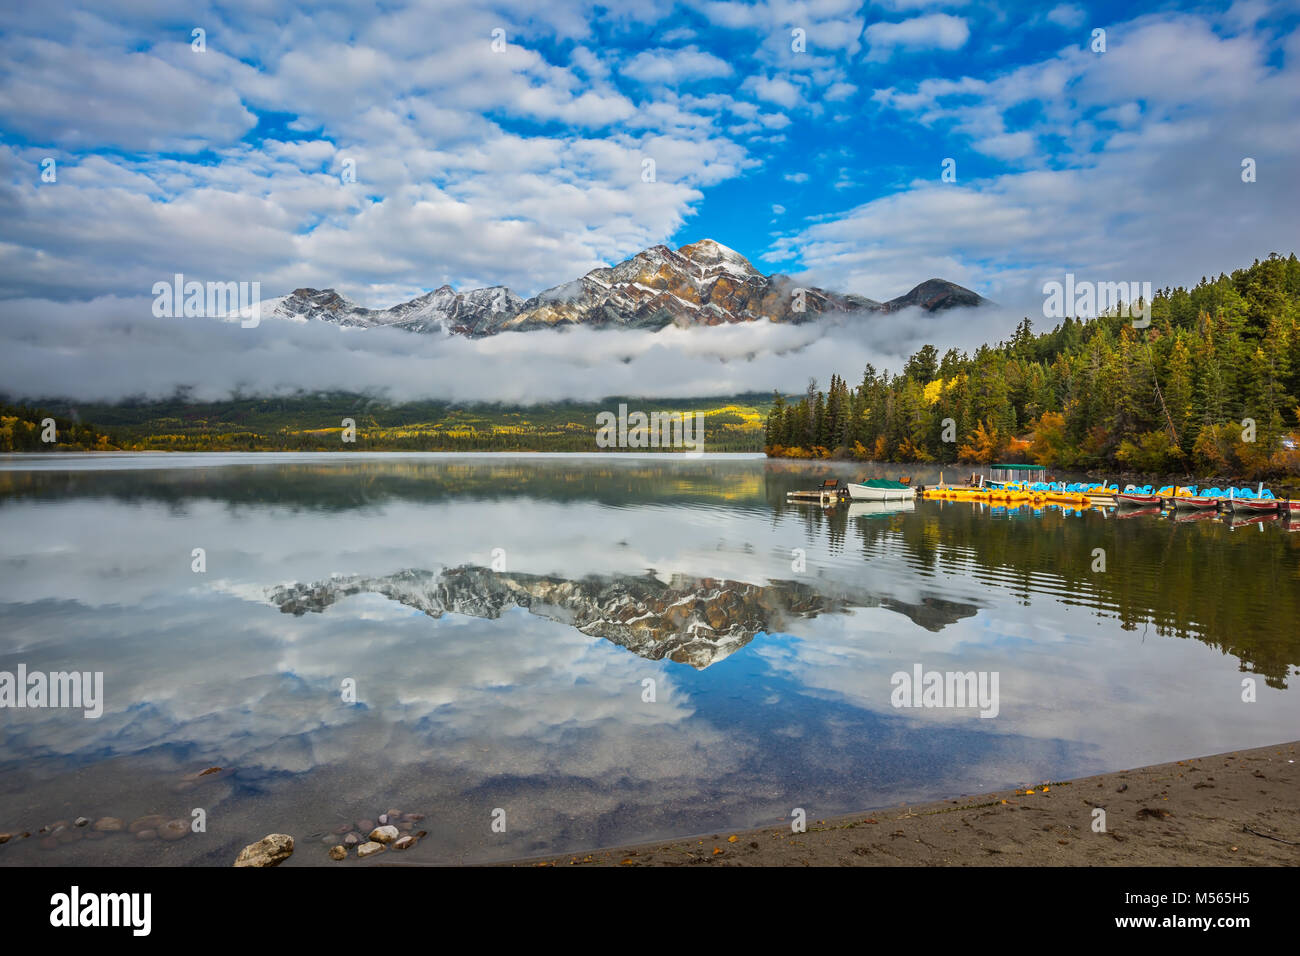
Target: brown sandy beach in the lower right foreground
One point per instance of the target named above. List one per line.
(1241, 808)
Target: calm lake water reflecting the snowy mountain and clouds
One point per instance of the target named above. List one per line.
(500, 620)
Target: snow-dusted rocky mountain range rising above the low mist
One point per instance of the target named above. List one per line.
(700, 284)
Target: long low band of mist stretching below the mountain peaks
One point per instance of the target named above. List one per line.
(114, 349)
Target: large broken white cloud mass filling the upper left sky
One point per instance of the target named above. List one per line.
(473, 167)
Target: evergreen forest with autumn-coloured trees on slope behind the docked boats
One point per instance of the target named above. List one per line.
(1210, 387)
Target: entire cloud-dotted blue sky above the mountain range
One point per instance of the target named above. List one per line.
(525, 167)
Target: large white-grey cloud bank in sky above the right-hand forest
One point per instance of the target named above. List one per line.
(1123, 171)
